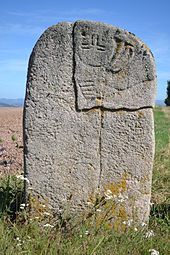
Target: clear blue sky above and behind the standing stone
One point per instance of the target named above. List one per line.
(22, 22)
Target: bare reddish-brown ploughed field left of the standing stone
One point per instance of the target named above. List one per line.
(11, 149)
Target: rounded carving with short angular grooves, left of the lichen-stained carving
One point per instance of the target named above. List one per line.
(95, 48)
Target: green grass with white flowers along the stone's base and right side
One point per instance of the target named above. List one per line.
(36, 232)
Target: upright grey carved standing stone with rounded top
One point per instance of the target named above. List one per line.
(88, 121)
